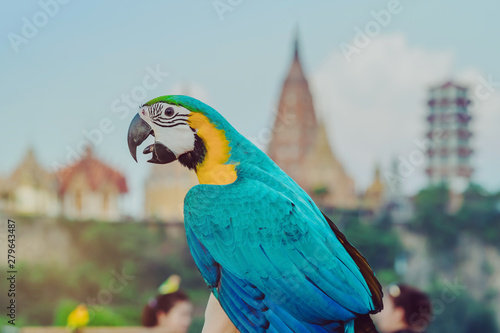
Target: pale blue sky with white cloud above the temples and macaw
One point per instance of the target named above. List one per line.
(67, 77)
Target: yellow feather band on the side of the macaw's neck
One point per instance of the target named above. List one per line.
(213, 169)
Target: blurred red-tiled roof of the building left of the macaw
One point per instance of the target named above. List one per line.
(95, 172)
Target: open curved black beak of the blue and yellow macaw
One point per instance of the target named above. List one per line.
(138, 132)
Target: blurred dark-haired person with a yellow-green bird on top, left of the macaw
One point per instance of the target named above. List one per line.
(170, 311)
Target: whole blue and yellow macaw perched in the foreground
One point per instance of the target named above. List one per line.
(273, 260)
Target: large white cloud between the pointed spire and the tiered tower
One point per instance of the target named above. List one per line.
(375, 106)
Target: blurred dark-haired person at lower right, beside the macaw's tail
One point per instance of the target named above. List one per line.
(406, 310)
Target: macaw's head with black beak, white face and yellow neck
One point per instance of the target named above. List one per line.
(186, 130)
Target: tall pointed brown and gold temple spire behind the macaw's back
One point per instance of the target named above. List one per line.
(299, 143)
